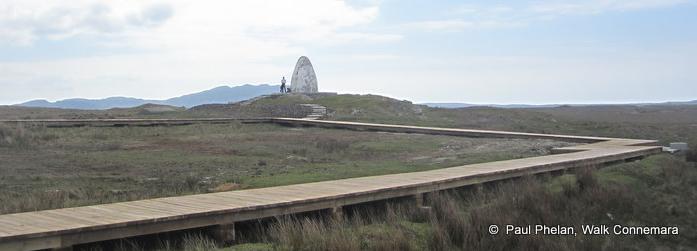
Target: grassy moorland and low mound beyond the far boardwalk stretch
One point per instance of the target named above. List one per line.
(666, 123)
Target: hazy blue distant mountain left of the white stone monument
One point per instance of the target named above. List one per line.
(218, 95)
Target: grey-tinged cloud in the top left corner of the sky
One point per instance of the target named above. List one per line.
(24, 22)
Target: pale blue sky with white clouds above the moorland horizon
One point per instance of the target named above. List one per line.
(504, 52)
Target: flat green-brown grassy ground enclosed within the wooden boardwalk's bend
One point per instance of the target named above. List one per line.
(43, 168)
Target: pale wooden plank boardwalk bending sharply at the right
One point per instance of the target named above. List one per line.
(70, 226)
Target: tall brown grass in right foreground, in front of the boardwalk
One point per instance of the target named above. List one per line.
(628, 194)
